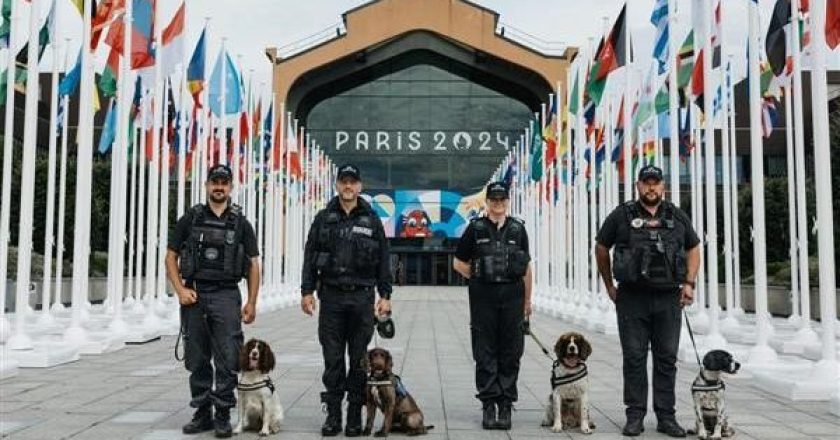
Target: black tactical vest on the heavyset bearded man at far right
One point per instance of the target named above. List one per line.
(654, 256)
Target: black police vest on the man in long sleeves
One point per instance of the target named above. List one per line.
(348, 250)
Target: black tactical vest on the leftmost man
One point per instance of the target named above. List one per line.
(214, 249)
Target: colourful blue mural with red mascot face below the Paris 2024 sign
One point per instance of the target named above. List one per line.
(425, 213)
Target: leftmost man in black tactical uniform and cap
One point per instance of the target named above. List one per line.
(211, 249)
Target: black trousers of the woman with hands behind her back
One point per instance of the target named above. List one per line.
(496, 314)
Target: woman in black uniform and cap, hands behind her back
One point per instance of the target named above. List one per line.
(493, 255)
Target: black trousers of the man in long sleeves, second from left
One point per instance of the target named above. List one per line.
(345, 324)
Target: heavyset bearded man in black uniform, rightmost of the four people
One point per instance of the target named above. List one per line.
(655, 261)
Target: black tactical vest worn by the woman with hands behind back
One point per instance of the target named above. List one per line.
(500, 257)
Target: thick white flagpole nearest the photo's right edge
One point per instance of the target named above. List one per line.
(827, 367)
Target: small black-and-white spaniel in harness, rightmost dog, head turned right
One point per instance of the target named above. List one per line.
(707, 393)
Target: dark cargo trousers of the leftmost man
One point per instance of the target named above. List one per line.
(212, 329)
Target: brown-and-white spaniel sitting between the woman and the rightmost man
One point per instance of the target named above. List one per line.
(568, 404)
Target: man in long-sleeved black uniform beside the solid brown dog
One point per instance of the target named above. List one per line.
(346, 255)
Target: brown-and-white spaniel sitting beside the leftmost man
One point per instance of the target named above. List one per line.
(259, 405)
